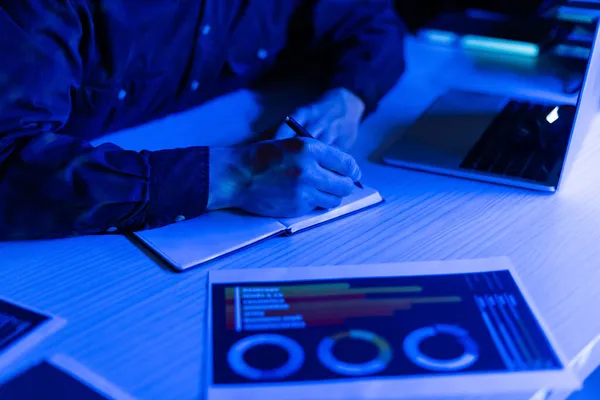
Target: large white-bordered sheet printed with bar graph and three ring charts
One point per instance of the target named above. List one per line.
(458, 328)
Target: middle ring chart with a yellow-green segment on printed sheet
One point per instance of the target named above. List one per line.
(378, 364)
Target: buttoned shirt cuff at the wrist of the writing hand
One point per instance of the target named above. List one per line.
(178, 185)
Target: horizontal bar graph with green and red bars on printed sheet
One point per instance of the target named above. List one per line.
(298, 306)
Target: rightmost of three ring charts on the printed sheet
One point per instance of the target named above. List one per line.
(413, 341)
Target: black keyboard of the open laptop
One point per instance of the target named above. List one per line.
(513, 144)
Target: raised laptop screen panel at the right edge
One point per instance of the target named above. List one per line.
(588, 103)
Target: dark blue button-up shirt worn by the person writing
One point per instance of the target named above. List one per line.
(73, 70)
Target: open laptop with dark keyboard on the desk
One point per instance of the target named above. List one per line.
(517, 141)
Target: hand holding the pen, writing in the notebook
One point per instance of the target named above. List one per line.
(280, 178)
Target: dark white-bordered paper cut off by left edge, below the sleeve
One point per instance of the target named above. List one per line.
(21, 328)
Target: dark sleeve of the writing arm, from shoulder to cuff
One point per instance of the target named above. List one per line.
(57, 185)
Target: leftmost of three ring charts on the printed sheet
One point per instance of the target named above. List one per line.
(235, 357)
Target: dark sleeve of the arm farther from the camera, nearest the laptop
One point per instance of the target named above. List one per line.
(364, 41)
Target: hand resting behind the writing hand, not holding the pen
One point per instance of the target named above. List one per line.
(333, 119)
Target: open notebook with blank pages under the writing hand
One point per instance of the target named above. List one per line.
(188, 244)
